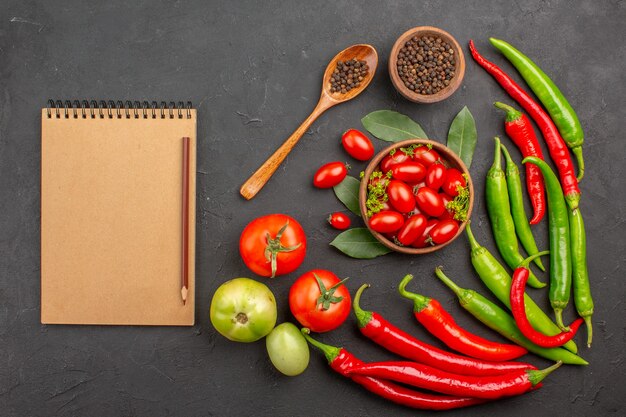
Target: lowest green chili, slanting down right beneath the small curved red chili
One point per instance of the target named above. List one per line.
(499, 320)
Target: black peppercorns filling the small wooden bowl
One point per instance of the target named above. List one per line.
(426, 64)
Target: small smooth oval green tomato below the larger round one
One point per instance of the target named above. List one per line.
(288, 349)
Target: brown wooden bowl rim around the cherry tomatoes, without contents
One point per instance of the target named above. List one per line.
(450, 160)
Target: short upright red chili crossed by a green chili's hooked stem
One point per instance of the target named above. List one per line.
(518, 127)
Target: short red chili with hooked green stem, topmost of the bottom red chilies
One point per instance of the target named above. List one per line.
(431, 314)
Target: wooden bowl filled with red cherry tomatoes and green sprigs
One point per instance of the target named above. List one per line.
(416, 196)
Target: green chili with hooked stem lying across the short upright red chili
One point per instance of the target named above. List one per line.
(558, 225)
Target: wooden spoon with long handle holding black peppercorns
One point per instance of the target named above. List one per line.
(327, 100)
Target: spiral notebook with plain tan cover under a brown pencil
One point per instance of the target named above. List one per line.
(112, 209)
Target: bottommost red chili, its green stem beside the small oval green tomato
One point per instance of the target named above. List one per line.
(342, 361)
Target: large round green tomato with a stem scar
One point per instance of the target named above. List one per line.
(243, 310)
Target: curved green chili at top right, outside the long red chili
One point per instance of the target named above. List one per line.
(553, 100)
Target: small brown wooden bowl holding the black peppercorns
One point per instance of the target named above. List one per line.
(441, 94)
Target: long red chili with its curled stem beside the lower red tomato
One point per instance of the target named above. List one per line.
(376, 328)
